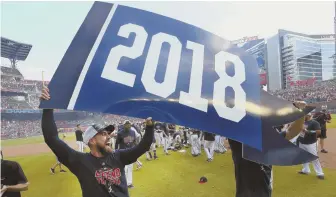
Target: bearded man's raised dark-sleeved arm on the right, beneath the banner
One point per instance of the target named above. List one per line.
(128, 156)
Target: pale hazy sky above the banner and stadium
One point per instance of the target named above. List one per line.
(51, 26)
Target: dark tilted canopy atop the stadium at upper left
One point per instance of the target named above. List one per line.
(14, 51)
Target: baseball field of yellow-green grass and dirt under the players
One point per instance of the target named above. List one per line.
(175, 175)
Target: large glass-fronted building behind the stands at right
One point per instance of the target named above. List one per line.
(298, 57)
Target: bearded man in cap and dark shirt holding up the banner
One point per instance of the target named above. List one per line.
(102, 171)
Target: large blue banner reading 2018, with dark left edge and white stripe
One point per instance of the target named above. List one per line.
(132, 62)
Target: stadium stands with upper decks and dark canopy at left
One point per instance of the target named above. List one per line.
(20, 115)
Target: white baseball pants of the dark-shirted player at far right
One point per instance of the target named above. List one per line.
(312, 148)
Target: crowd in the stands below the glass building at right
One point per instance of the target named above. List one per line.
(319, 92)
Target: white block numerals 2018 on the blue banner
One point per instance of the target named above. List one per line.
(192, 98)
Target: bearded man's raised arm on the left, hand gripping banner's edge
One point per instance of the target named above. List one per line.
(50, 134)
